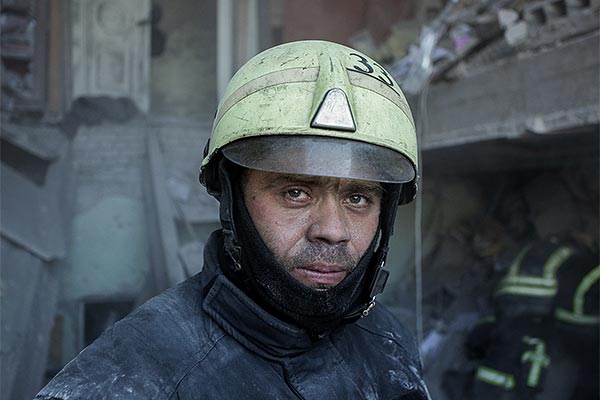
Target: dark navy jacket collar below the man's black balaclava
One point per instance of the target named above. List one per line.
(242, 318)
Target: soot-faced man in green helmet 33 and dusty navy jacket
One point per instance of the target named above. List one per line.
(313, 147)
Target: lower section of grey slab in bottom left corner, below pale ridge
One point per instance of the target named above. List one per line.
(29, 295)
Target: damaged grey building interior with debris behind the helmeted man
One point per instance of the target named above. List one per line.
(107, 105)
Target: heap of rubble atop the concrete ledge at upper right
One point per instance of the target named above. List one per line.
(483, 32)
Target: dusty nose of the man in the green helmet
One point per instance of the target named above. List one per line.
(329, 223)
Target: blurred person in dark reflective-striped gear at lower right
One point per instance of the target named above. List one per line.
(542, 342)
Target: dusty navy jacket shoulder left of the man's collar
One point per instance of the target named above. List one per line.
(123, 360)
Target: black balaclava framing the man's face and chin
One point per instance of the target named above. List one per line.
(255, 270)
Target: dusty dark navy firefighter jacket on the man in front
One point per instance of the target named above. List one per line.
(205, 339)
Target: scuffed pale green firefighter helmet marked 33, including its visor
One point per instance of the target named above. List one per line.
(316, 108)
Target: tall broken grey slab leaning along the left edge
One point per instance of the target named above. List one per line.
(35, 207)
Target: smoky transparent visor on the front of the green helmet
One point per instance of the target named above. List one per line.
(321, 156)
